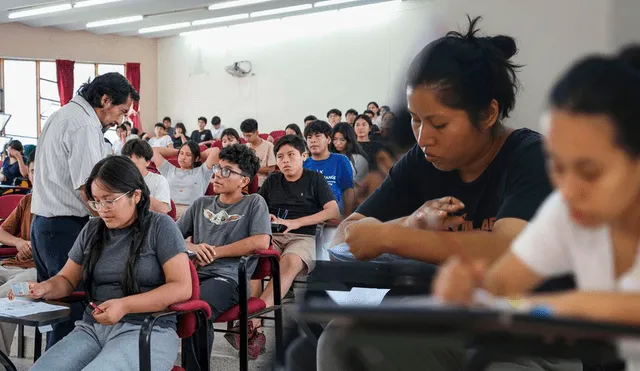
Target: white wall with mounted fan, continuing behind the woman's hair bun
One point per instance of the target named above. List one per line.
(317, 66)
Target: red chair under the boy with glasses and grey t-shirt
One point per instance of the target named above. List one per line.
(248, 308)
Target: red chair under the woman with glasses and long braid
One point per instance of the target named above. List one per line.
(192, 321)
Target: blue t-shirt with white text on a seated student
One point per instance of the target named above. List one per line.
(337, 172)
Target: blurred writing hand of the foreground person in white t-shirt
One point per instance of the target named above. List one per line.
(457, 280)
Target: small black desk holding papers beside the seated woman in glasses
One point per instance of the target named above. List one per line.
(35, 320)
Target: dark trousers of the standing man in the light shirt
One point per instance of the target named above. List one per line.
(51, 240)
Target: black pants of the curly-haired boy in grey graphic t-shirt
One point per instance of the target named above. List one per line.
(221, 294)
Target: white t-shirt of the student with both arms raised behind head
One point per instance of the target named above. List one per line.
(186, 186)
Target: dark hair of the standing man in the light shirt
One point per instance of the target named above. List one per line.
(113, 84)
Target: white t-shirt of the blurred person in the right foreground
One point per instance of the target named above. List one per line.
(552, 245)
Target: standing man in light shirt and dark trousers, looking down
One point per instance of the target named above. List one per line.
(71, 143)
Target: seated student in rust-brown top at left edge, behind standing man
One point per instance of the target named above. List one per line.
(15, 231)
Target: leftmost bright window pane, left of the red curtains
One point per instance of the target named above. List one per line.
(20, 97)
